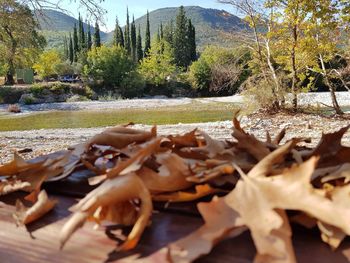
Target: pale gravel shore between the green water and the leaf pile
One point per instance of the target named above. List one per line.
(298, 125)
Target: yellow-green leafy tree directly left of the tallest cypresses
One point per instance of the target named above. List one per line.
(158, 67)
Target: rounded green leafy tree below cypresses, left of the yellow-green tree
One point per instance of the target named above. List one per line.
(109, 65)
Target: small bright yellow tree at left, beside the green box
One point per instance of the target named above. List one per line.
(47, 63)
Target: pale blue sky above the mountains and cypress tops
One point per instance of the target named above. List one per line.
(139, 8)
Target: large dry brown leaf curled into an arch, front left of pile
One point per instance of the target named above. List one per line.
(111, 193)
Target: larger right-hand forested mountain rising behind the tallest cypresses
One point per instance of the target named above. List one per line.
(213, 26)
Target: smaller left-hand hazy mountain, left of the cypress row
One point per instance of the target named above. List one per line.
(55, 25)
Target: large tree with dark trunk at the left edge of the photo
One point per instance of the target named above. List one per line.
(18, 32)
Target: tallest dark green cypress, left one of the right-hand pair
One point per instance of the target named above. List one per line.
(181, 46)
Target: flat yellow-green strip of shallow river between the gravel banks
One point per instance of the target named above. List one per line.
(192, 113)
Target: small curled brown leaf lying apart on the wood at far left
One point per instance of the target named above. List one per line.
(26, 215)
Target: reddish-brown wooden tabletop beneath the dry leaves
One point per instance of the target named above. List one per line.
(39, 242)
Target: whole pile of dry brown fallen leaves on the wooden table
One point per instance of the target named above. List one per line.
(256, 184)
